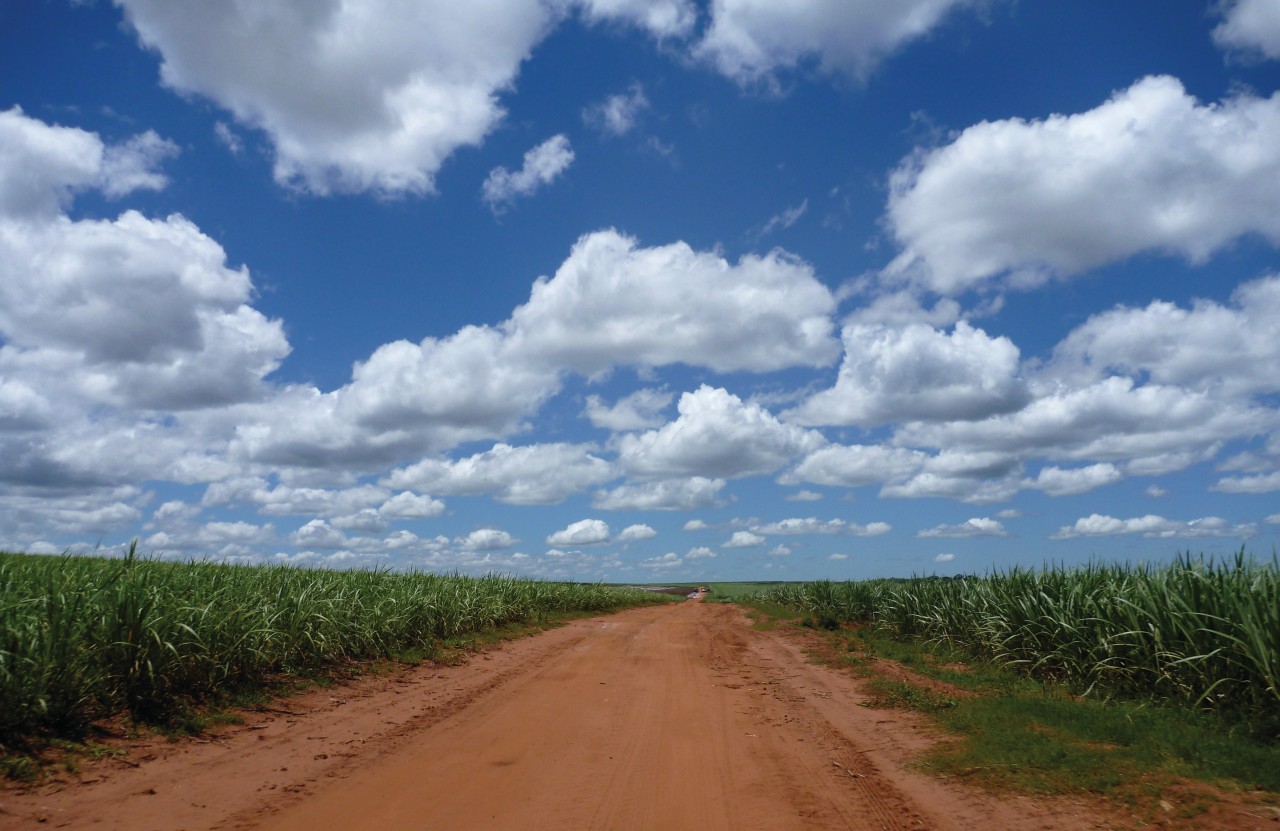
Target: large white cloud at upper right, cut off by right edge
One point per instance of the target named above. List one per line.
(1150, 170)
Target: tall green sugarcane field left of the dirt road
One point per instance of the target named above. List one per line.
(84, 638)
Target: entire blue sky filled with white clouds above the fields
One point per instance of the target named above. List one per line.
(642, 291)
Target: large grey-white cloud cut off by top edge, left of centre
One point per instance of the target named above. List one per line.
(369, 95)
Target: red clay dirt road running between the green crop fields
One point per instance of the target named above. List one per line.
(664, 718)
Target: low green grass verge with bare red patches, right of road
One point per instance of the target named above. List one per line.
(1017, 733)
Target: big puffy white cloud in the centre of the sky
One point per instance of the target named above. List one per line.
(614, 303)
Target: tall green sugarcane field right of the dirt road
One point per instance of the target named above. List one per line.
(1195, 632)
